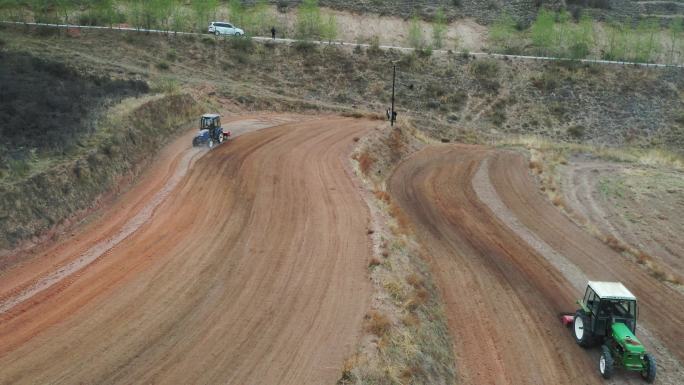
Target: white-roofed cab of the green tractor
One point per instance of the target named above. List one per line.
(608, 303)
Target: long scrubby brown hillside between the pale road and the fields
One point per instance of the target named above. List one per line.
(456, 97)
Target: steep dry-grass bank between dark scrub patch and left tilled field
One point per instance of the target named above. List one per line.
(122, 146)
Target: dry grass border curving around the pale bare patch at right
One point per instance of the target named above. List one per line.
(550, 163)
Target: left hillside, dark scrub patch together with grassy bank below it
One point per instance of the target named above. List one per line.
(69, 134)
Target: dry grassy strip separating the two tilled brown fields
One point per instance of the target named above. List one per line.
(406, 337)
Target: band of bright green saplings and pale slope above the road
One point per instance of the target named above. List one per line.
(623, 30)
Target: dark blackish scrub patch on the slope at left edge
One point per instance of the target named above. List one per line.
(46, 108)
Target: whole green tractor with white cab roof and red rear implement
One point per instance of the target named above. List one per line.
(607, 316)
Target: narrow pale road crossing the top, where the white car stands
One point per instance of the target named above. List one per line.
(385, 47)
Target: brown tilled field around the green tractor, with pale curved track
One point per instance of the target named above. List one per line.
(508, 262)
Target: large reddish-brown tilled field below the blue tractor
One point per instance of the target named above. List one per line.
(252, 271)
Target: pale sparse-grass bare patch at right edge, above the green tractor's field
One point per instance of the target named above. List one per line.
(641, 206)
